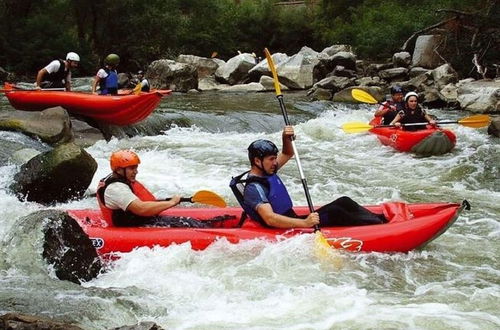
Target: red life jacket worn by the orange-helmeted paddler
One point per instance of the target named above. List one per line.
(119, 217)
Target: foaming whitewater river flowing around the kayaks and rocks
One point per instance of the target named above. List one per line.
(452, 283)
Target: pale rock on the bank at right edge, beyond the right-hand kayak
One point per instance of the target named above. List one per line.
(480, 96)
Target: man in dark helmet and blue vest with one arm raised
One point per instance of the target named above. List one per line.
(264, 198)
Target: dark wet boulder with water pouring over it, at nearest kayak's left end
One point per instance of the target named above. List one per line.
(57, 244)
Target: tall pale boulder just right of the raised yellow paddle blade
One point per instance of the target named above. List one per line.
(297, 71)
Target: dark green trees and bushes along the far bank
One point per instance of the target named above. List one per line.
(32, 33)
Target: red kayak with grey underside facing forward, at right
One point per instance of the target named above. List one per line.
(430, 141)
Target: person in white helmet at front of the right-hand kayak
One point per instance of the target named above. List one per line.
(412, 113)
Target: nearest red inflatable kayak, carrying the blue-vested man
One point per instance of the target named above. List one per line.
(410, 226)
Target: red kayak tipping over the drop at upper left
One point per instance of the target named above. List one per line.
(118, 110)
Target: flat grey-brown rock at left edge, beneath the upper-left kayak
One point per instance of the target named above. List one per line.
(52, 125)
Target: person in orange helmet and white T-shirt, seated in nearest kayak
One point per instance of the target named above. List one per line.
(125, 202)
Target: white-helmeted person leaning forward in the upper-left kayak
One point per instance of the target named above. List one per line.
(57, 74)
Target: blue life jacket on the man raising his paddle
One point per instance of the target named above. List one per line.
(277, 195)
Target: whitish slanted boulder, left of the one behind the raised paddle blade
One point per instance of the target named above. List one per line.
(235, 70)
